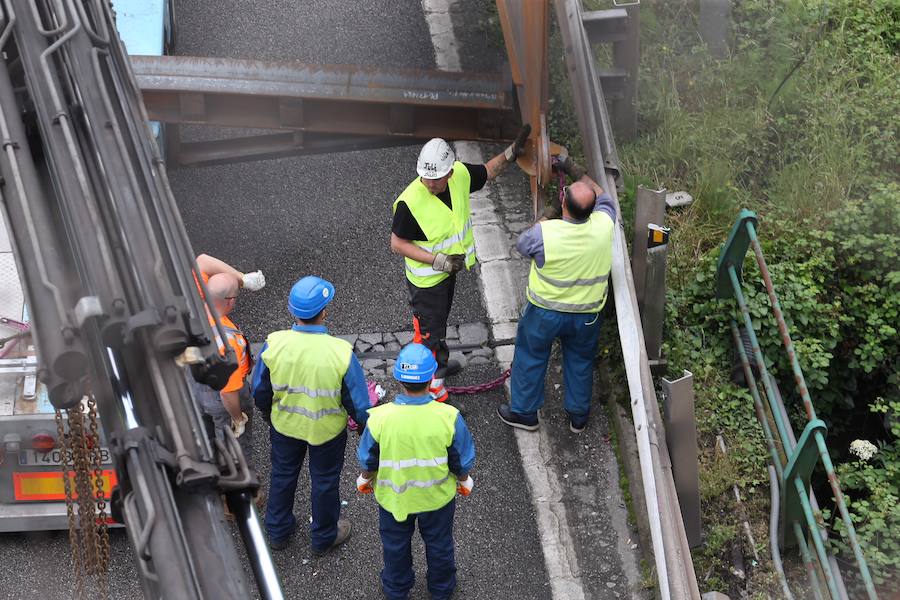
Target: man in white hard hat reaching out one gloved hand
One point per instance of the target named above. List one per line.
(432, 230)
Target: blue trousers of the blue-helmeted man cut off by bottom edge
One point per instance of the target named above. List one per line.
(436, 529)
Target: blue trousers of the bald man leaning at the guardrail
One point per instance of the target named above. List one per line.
(578, 334)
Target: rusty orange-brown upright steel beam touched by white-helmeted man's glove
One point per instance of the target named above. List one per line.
(525, 32)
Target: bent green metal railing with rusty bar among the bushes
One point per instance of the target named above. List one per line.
(795, 463)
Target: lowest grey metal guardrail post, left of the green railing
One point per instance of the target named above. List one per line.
(681, 435)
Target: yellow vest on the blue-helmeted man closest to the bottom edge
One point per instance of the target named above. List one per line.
(413, 474)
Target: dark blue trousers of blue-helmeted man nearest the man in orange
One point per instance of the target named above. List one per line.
(325, 464)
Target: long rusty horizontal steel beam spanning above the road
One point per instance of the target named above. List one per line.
(327, 99)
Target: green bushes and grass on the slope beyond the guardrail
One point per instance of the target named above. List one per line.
(799, 124)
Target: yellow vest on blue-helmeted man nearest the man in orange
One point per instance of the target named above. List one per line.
(307, 371)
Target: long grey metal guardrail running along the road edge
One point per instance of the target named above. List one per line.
(671, 552)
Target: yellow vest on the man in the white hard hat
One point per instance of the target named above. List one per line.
(448, 231)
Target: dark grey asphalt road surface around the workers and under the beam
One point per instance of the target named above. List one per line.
(330, 216)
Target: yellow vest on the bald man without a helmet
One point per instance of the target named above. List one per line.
(577, 261)
